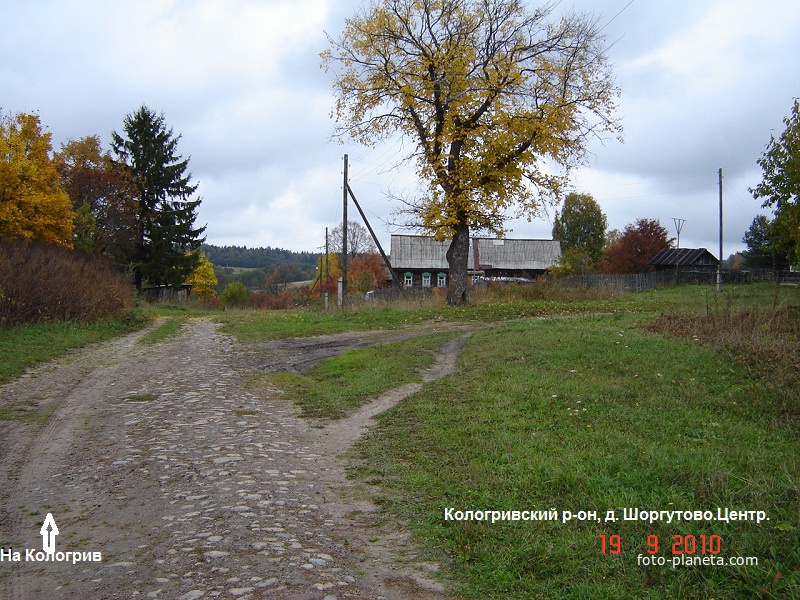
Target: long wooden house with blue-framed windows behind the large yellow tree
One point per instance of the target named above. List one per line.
(421, 262)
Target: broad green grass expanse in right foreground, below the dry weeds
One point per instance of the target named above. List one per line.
(593, 414)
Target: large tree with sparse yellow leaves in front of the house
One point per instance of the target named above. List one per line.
(493, 95)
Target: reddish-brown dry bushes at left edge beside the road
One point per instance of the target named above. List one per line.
(48, 283)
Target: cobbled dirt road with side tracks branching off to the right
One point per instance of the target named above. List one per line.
(190, 482)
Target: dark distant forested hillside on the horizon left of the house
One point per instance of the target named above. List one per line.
(292, 266)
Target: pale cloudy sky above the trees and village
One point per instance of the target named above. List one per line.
(704, 85)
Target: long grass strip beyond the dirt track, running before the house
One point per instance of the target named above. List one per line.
(492, 304)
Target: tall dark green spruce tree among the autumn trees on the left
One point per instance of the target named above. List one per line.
(166, 236)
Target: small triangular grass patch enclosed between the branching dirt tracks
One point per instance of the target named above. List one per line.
(343, 383)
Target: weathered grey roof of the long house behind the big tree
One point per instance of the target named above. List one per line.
(420, 252)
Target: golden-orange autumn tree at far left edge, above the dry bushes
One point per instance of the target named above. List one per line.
(33, 203)
